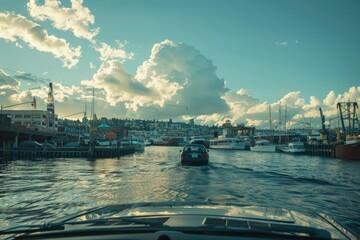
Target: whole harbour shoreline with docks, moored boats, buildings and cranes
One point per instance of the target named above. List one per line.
(17, 126)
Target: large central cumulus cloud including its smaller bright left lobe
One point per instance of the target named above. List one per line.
(176, 80)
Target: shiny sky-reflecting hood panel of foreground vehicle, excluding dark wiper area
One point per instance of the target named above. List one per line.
(223, 216)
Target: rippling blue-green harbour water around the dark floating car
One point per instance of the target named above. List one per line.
(41, 190)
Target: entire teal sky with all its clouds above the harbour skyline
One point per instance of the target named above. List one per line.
(207, 60)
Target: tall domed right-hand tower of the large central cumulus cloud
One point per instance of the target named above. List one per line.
(197, 85)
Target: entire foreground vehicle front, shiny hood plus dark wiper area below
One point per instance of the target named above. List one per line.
(179, 220)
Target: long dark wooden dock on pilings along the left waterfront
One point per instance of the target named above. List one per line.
(98, 152)
